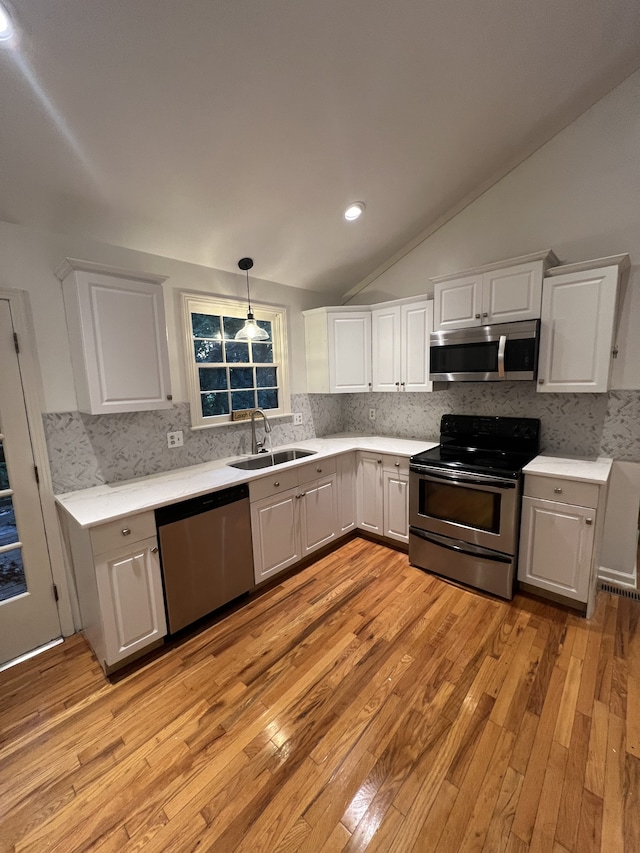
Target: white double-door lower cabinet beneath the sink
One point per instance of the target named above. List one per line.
(289, 521)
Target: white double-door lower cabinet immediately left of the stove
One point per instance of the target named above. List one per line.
(383, 495)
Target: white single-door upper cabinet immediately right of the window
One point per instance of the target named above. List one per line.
(338, 349)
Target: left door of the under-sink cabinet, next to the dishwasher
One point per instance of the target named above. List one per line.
(275, 532)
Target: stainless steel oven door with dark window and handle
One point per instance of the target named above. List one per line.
(474, 508)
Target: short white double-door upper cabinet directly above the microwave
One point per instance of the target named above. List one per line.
(496, 293)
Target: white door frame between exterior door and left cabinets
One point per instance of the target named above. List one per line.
(34, 404)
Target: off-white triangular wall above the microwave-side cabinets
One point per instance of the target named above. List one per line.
(578, 195)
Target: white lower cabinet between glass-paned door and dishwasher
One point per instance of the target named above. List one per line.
(119, 583)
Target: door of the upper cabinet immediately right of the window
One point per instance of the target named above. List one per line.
(349, 352)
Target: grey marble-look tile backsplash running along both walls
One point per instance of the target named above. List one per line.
(89, 450)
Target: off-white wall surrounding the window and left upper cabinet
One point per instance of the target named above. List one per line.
(28, 259)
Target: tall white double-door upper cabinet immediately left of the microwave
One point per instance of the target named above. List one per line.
(400, 345)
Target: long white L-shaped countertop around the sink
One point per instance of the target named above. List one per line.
(100, 504)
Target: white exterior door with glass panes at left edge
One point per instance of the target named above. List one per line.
(28, 611)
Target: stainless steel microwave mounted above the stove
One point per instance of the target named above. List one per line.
(505, 351)
